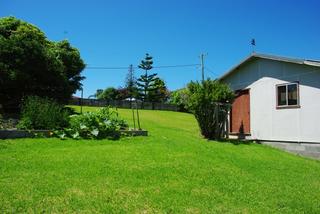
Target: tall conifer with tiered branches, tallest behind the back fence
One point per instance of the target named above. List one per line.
(146, 82)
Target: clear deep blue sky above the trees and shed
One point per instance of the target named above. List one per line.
(120, 32)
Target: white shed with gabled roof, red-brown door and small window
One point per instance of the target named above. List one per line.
(278, 99)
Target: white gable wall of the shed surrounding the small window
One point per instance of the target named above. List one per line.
(269, 123)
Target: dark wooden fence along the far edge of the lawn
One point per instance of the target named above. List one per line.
(123, 104)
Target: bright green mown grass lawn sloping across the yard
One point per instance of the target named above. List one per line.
(173, 170)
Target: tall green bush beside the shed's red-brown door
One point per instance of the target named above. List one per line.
(208, 101)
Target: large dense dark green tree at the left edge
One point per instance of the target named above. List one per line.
(30, 64)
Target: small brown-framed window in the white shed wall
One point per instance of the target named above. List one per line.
(288, 95)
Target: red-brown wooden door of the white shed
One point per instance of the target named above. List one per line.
(240, 113)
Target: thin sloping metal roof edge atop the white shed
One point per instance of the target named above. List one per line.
(273, 57)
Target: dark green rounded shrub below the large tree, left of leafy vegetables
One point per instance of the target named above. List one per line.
(42, 113)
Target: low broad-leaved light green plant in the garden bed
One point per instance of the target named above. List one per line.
(100, 124)
